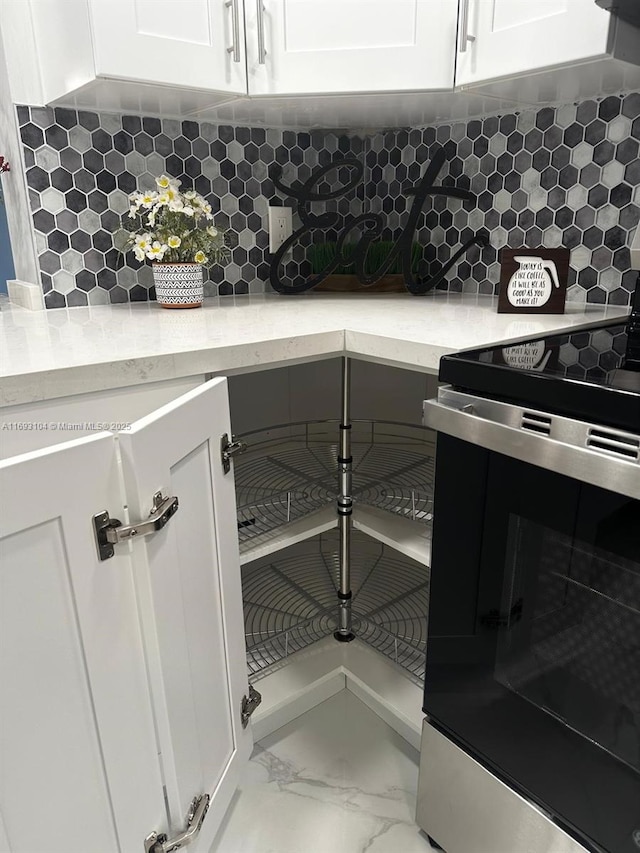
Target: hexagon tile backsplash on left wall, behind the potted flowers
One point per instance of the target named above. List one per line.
(83, 165)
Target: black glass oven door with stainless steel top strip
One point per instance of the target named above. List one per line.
(533, 655)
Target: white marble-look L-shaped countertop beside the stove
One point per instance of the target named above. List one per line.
(55, 353)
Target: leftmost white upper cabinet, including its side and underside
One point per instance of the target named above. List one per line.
(151, 56)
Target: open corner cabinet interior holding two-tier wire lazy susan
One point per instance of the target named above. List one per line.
(287, 485)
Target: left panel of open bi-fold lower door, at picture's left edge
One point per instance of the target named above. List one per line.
(78, 757)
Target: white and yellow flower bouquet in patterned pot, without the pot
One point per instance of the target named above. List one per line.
(174, 227)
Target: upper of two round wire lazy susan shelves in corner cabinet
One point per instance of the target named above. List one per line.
(291, 470)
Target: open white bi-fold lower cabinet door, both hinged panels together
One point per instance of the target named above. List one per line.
(122, 679)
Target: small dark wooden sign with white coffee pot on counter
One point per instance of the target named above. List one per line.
(533, 281)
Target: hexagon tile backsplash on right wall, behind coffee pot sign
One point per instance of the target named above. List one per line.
(556, 177)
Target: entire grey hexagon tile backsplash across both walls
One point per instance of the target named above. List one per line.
(556, 177)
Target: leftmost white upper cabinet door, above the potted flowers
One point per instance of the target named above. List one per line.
(171, 42)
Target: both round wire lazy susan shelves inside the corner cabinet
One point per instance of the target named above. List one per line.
(290, 471)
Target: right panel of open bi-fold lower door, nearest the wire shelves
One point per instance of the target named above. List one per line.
(188, 582)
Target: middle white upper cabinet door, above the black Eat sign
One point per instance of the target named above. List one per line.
(324, 46)
